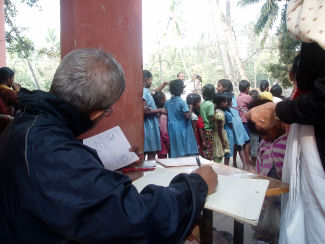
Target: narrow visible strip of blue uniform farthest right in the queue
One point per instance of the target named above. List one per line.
(240, 134)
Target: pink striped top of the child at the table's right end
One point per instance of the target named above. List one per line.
(270, 153)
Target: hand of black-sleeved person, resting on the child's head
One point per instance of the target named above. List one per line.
(263, 116)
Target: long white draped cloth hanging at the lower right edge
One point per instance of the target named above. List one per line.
(303, 208)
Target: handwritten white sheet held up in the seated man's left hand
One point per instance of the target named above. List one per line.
(112, 148)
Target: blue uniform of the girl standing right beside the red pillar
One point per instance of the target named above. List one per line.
(151, 126)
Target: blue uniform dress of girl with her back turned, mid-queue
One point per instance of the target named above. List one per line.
(181, 136)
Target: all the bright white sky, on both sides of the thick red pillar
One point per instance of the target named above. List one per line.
(195, 16)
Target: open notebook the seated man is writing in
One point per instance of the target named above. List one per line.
(239, 198)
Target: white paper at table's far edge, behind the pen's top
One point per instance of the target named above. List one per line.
(182, 161)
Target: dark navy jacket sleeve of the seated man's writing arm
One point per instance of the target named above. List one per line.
(89, 204)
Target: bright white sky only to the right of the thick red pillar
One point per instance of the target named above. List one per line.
(195, 16)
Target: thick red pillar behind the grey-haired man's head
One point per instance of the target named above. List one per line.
(116, 27)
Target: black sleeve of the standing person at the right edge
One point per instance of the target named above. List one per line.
(307, 109)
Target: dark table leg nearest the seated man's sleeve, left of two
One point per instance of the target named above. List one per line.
(206, 227)
